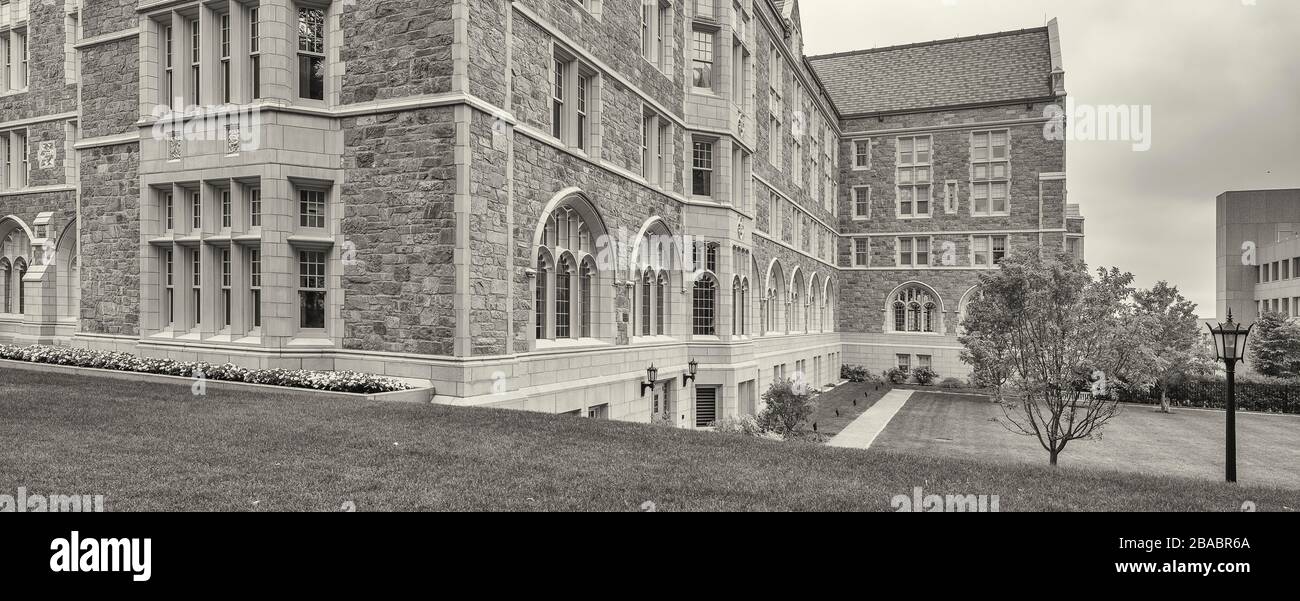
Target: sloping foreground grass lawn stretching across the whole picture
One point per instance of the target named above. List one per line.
(153, 447)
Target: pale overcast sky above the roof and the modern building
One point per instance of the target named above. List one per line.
(1223, 79)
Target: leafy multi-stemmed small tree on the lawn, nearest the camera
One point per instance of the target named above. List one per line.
(1052, 332)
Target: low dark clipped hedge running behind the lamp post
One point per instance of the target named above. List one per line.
(1272, 399)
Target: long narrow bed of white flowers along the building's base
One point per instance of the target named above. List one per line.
(125, 362)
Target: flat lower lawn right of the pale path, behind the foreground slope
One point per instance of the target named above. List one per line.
(1188, 443)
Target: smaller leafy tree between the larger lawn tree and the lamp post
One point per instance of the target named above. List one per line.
(1172, 345)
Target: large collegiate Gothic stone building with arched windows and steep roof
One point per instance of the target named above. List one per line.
(527, 204)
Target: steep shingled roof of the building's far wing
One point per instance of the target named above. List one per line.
(1012, 66)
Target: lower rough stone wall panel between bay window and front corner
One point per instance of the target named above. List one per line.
(398, 214)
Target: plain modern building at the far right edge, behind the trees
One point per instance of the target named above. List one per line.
(1258, 248)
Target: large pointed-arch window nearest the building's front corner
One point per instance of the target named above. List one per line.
(566, 286)
